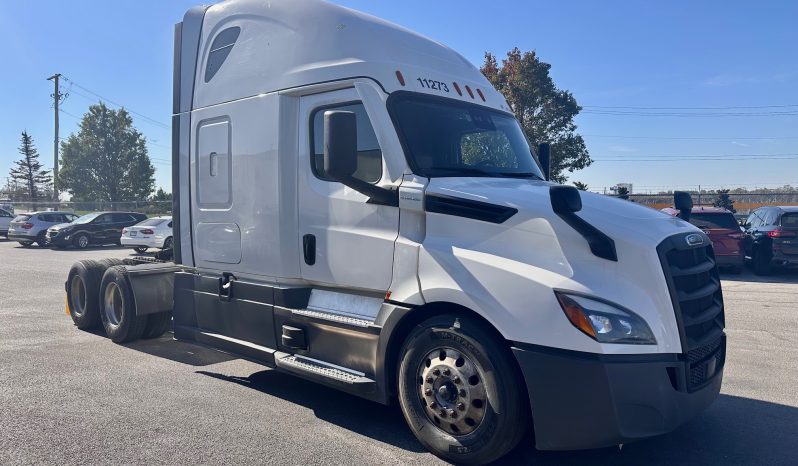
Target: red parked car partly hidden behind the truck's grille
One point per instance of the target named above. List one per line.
(725, 232)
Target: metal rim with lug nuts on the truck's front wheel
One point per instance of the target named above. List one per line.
(452, 390)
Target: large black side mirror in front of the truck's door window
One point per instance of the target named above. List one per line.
(340, 144)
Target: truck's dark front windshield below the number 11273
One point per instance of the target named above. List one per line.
(444, 137)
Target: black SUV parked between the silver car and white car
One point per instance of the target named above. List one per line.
(95, 228)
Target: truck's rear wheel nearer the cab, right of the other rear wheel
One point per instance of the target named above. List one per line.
(117, 307)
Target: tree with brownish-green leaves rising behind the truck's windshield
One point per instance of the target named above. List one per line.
(545, 112)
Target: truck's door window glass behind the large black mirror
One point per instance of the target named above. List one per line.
(369, 154)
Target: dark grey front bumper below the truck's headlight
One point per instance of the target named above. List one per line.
(582, 400)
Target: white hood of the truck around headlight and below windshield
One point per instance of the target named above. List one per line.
(516, 264)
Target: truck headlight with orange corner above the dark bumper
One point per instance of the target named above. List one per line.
(605, 322)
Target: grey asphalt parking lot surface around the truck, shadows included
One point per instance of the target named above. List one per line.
(69, 397)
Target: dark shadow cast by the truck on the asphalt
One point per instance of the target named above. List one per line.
(734, 430)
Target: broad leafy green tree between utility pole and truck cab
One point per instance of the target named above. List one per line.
(107, 159)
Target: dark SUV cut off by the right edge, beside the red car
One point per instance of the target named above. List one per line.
(771, 238)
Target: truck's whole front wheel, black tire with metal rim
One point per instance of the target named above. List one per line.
(460, 392)
